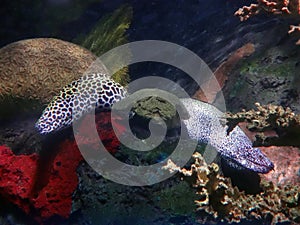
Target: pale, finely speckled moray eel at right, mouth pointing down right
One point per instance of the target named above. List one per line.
(236, 148)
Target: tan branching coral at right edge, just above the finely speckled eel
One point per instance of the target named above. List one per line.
(283, 121)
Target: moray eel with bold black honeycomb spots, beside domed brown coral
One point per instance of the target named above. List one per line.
(77, 98)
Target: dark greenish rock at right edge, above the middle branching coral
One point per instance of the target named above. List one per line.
(270, 76)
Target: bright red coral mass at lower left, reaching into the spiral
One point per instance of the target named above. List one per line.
(19, 174)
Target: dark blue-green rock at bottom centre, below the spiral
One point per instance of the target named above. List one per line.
(102, 201)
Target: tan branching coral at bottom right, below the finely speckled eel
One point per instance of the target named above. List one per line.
(219, 198)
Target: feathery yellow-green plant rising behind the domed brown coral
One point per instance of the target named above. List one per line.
(107, 34)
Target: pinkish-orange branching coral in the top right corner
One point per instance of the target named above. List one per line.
(277, 7)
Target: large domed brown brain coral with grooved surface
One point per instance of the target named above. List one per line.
(38, 68)
